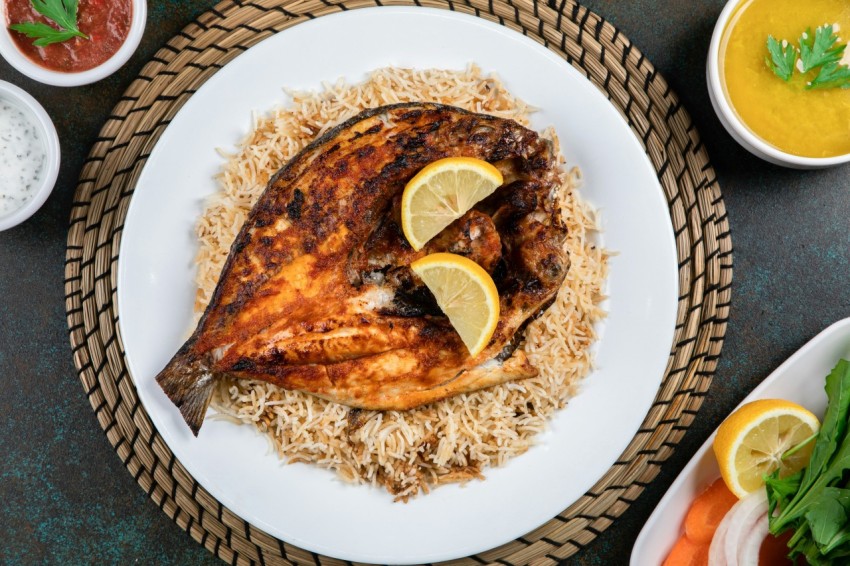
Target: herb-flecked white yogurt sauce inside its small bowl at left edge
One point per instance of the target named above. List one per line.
(22, 157)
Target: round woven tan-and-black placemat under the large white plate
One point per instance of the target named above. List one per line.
(585, 40)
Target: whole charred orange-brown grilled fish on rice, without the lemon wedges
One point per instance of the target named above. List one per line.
(316, 294)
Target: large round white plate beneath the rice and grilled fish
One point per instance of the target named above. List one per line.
(310, 507)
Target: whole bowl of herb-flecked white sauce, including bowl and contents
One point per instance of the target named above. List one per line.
(29, 155)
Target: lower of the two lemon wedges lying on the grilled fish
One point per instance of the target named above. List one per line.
(465, 293)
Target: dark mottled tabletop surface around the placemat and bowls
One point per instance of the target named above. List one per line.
(65, 496)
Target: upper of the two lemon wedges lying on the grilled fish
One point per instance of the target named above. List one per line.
(442, 192)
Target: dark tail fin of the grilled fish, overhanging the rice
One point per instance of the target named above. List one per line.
(189, 383)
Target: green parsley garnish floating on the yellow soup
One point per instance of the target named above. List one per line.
(818, 51)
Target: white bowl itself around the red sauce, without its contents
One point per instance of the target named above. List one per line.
(10, 52)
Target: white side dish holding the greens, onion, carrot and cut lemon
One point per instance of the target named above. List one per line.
(800, 379)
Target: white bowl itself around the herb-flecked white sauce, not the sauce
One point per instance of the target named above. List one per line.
(30, 106)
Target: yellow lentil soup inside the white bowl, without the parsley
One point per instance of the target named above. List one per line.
(787, 115)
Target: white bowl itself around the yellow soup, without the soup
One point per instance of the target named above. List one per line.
(733, 124)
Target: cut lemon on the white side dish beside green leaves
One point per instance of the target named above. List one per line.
(750, 443)
